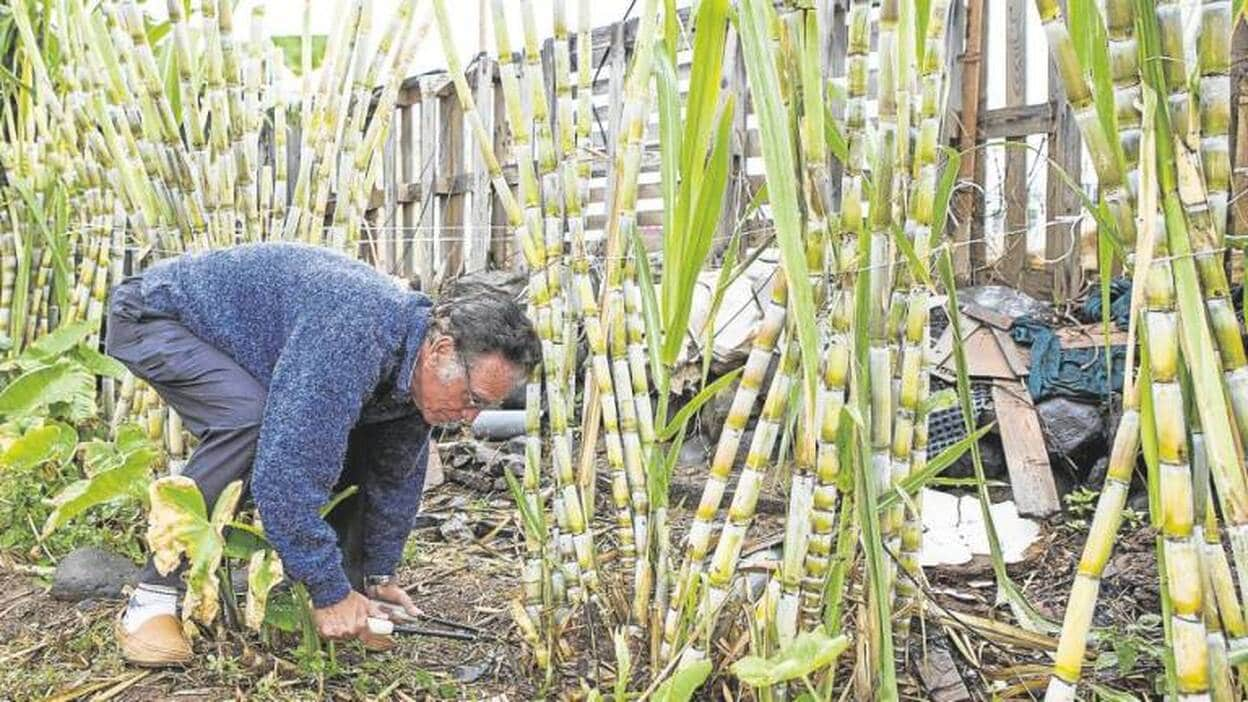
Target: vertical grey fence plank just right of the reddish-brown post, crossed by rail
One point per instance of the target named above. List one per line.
(1014, 252)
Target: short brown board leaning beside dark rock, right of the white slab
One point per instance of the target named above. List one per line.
(1031, 477)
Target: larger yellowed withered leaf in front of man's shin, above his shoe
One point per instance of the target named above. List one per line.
(179, 526)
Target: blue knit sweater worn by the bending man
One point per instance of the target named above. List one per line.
(335, 343)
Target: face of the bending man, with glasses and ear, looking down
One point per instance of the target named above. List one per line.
(451, 390)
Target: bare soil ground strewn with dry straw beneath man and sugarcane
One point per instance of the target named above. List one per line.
(67, 651)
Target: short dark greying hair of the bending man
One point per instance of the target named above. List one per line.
(485, 319)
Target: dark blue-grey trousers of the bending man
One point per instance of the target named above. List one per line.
(222, 404)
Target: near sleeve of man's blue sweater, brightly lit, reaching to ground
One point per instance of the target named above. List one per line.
(328, 369)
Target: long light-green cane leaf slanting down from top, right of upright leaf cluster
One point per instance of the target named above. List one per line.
(778, 157)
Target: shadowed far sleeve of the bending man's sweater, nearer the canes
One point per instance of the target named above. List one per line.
(397, 458)
